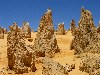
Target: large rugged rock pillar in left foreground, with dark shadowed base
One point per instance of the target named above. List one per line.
(20, 56)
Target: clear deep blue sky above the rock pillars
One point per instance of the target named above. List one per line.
(32, 10)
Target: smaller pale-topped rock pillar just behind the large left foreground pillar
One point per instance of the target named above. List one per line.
(26, 29)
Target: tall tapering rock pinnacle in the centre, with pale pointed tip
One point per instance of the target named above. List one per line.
(45, 43)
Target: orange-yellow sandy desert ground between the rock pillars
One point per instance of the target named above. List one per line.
(64, 56)
